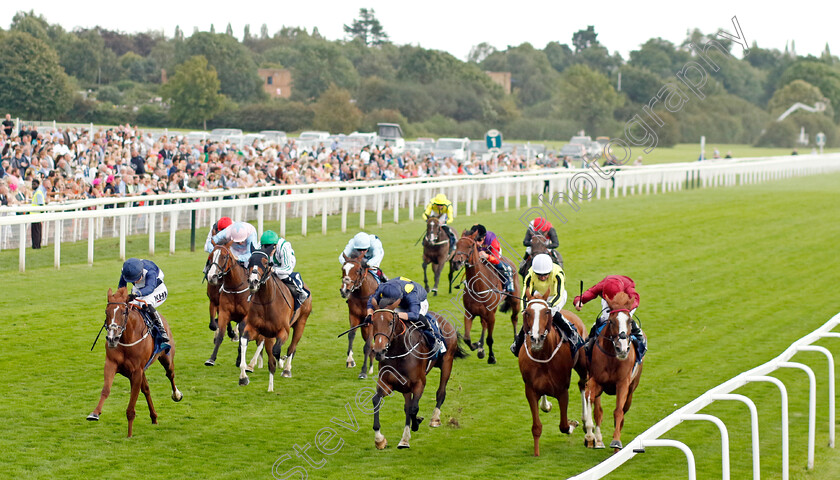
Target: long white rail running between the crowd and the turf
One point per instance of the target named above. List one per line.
(120, 217)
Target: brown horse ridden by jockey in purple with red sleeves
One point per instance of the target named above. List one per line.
(483, 293)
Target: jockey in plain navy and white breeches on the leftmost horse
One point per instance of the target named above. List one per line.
(148, 292)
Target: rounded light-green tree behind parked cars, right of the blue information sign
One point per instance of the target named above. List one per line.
(587, 97)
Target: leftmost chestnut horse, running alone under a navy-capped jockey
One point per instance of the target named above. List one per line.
(129, 350)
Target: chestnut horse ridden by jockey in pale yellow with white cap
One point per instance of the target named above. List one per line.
(546, 363)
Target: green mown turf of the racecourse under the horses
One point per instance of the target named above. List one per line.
(729, 278)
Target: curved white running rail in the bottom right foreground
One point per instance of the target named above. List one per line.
(723, 392)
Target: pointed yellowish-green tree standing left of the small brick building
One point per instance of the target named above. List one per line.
(193, 92)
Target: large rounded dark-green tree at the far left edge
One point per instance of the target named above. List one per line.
(32, 83)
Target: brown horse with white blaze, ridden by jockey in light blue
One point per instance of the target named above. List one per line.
(357, 285)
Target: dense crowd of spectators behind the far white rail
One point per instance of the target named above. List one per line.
(74, 164)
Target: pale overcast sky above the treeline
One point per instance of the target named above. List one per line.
(457, 26)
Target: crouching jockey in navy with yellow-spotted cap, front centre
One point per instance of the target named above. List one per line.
(413, 305)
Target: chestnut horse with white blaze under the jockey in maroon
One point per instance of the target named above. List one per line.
(612, 369)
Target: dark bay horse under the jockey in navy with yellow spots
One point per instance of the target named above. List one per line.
(404, 360)
